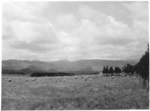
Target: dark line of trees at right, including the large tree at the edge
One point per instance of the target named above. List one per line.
(141, 69)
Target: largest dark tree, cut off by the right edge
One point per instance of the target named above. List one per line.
(142, 68)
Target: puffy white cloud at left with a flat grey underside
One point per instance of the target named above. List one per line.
(32, 36)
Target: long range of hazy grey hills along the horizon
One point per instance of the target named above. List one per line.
(61, 65)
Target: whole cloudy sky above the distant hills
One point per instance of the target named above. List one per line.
(74, 30)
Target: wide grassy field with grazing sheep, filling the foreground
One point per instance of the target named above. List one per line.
(73, 92)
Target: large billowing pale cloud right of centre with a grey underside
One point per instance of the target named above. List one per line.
(110, 32)
